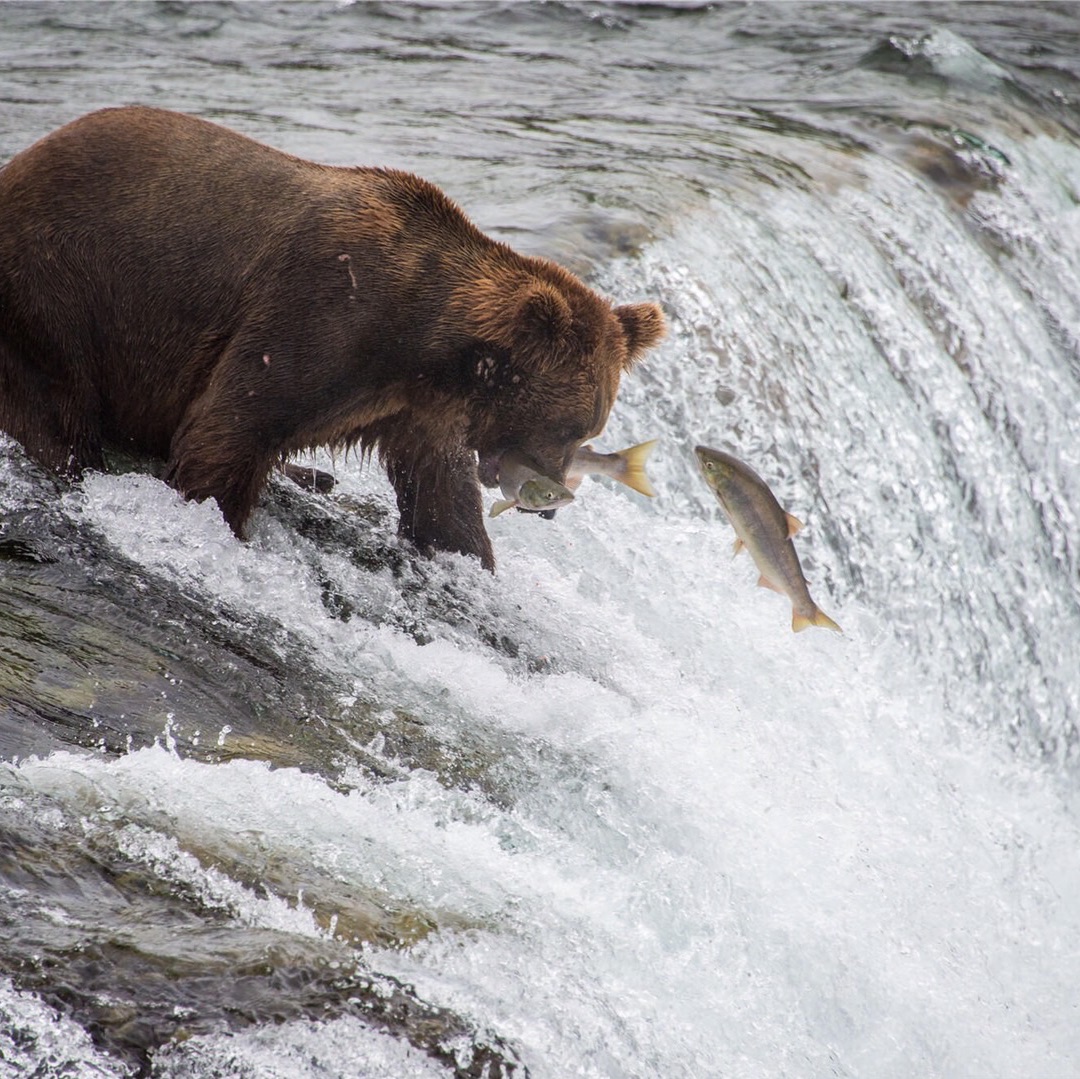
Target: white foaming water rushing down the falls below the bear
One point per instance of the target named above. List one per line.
(727, 849)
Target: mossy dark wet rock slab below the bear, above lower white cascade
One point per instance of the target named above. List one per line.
(97, 658)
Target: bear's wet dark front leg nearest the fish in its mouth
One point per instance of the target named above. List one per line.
(440, 503)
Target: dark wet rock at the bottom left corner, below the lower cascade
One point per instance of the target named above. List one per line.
(142, 964)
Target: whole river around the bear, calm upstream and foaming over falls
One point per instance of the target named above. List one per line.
(309, 807)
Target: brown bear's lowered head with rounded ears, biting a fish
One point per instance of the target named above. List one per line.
(543, 368)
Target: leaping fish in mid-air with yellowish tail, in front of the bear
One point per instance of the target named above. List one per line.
(765, 530)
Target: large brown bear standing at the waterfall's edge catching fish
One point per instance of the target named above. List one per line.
(173, 288)
